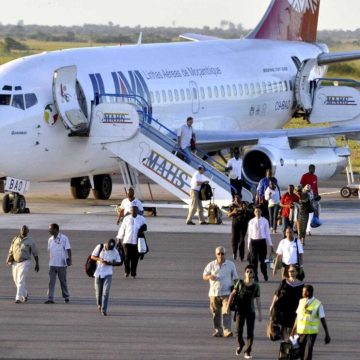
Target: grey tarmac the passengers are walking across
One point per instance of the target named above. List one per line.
(164, 312)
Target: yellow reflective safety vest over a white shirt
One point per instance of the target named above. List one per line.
(308, 320)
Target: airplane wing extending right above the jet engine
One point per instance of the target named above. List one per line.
(208, 140)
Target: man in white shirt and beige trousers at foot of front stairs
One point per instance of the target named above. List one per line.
(196, 181)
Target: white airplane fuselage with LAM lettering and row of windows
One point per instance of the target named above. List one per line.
(226, 85)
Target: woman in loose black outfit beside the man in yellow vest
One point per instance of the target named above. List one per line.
(285, 302)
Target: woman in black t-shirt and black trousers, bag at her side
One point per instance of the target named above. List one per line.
(246, 290)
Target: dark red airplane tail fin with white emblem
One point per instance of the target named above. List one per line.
(289, 20)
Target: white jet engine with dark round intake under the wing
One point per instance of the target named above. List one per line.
(288, 165)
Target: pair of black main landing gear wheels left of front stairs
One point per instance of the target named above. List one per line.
(81, 186)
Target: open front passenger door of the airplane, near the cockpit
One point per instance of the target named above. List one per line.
(66, 99)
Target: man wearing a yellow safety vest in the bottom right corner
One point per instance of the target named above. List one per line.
(309, 314)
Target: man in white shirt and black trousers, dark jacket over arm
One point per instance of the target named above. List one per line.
(132, 227)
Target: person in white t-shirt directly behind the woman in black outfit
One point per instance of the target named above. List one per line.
(290, 252)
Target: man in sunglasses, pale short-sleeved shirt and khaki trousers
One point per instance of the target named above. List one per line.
(221, 274)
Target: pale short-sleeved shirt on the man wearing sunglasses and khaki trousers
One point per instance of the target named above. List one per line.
(225, 273)
